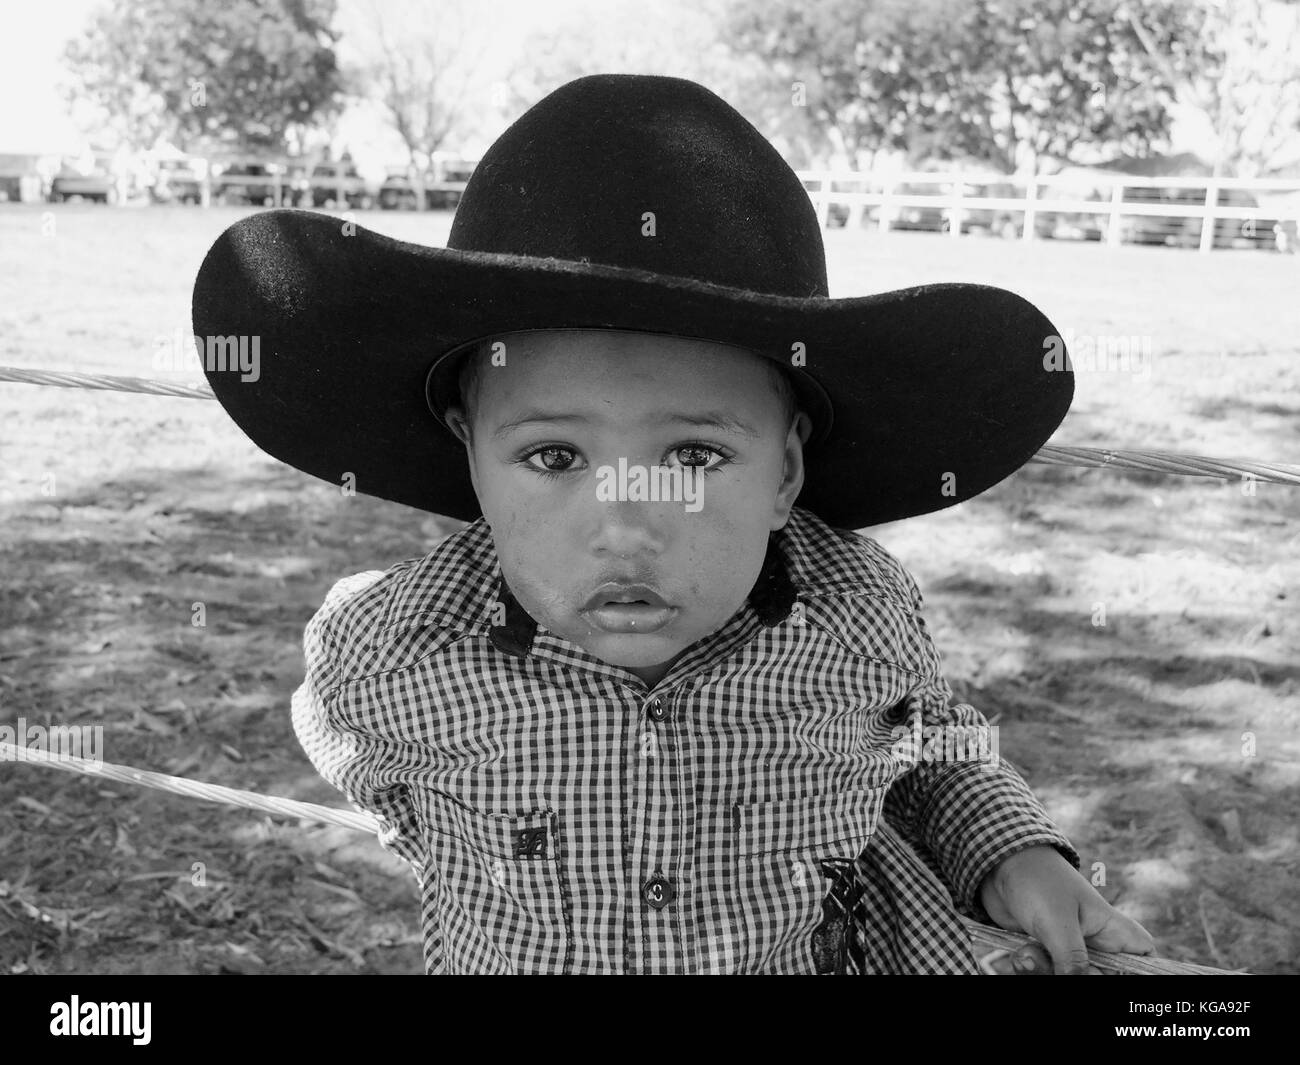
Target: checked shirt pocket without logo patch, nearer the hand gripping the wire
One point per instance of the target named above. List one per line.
(779, 885)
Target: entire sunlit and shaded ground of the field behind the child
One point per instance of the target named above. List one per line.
(123, 512)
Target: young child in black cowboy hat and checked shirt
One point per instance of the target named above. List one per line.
(655, 709)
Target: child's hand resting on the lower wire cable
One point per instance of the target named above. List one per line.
(1037, 891)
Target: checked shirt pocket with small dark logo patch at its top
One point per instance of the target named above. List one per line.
(501, 903)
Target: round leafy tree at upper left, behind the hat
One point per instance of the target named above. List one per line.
(245, 75)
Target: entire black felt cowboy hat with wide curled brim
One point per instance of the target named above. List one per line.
(638, 204)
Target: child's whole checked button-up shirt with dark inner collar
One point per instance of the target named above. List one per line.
(565, 817)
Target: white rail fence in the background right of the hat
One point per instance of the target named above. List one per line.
(1116, 209)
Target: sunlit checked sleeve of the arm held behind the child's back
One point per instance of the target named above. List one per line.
(344, 755)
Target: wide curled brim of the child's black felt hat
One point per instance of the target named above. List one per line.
(939, 392)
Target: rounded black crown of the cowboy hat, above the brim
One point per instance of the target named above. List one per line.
(651, 174)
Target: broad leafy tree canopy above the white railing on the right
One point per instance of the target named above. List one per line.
(998, 81)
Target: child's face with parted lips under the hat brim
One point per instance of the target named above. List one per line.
(575, 401)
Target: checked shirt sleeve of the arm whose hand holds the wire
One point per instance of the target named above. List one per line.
(969, 813)
